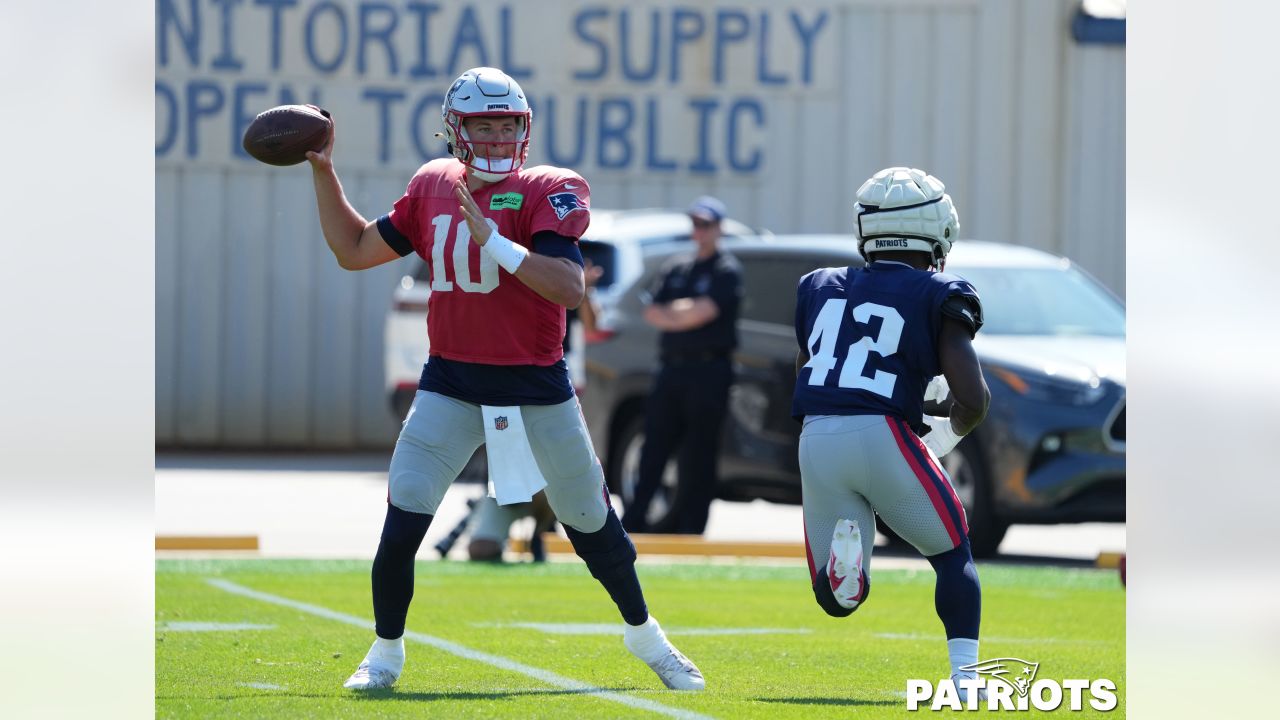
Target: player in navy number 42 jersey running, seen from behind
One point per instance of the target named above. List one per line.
(872, 344)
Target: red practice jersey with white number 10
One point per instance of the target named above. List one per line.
(478, 312)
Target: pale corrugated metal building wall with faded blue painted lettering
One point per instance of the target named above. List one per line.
(263, 341)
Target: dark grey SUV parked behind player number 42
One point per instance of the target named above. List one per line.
(1053, 449)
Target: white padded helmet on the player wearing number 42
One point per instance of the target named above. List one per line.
(906, 209)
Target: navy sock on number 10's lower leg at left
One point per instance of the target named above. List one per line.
(394, 569)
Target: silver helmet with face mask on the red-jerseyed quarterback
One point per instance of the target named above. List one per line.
(487, 93)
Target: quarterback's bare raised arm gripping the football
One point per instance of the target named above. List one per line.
(354, 240)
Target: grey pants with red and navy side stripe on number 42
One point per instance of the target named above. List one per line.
(856, 467)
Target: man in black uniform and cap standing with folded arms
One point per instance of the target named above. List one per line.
(696, 303)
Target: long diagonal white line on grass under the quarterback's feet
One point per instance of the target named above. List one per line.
(467, 653)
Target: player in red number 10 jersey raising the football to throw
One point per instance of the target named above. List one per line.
(501, 241)
